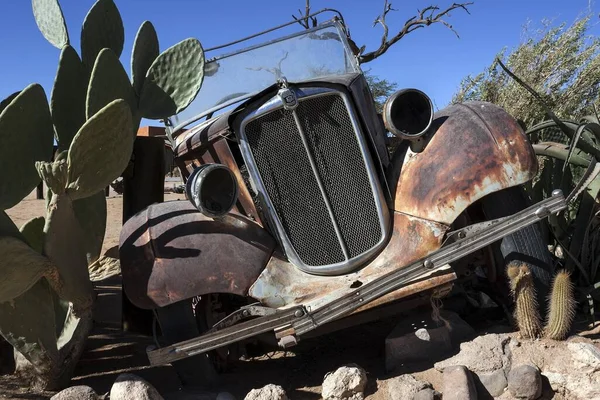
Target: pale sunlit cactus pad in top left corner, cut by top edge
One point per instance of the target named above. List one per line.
(49, 18)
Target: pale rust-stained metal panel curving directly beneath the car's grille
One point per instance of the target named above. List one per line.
(282, 285)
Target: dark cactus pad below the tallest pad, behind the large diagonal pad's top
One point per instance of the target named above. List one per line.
(109, 82)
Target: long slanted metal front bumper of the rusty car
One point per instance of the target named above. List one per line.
(297, 321)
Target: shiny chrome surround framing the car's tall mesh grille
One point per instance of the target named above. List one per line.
(376, 190)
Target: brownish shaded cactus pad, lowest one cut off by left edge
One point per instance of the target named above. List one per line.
(20, 267)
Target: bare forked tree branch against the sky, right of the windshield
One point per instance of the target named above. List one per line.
(428, 16)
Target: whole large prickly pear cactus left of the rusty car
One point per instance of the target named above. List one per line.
(46, 296)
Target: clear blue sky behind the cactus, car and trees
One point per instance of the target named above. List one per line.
(431, 59)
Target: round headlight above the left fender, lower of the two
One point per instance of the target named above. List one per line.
(212, 189)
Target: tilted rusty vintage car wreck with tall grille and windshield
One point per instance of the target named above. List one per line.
(298, 215)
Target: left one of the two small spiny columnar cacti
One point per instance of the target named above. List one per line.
(526, 308)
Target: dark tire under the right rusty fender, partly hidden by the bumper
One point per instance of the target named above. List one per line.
(525, 246)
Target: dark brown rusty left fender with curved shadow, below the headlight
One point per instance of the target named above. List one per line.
(171, 252)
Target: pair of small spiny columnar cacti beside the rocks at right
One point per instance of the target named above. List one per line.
(561, 304)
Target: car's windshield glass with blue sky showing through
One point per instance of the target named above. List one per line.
(309, 54)
